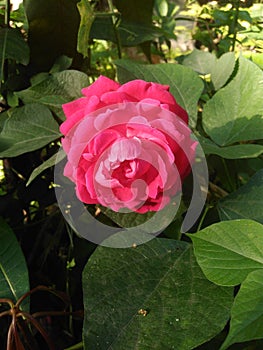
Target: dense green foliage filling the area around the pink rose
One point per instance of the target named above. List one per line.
(201, 290)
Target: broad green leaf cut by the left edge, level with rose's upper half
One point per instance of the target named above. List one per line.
(27, 129)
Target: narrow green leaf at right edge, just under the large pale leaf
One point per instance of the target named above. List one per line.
(231, 152)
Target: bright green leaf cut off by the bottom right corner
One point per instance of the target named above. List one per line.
(247, 311)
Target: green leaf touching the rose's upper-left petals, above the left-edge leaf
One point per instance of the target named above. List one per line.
(55, 89)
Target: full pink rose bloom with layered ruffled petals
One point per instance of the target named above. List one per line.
(128, 146)
